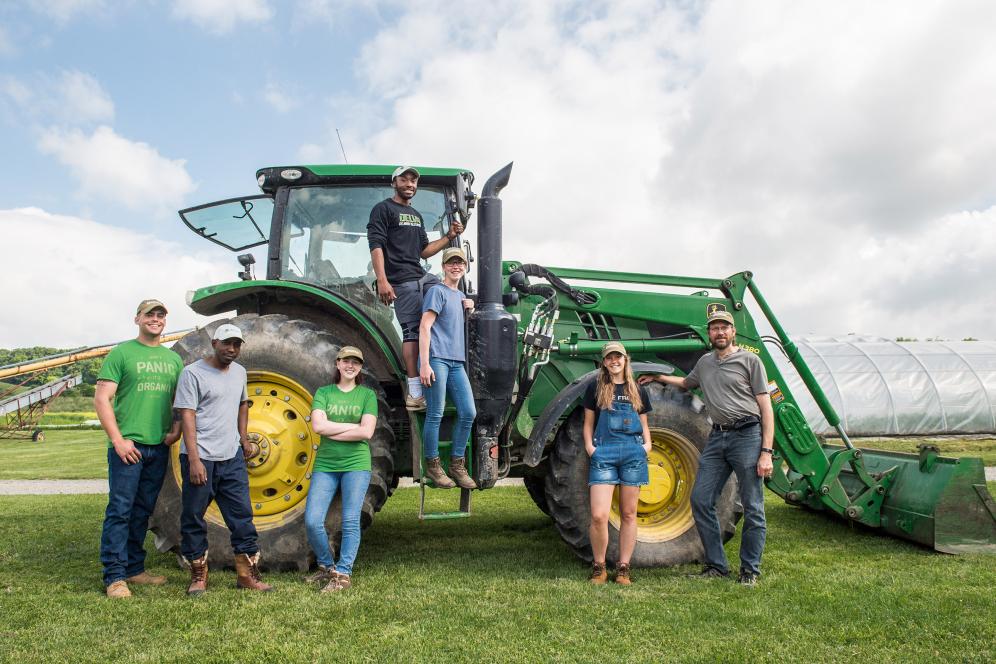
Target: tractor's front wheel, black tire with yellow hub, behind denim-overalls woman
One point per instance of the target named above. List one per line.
(666, 533)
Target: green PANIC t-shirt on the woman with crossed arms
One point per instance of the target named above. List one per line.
(336, 456)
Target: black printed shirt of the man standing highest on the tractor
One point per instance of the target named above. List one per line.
(398, 230)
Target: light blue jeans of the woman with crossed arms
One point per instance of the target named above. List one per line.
(354, 485)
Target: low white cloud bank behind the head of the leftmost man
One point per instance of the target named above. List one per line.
(91, 279)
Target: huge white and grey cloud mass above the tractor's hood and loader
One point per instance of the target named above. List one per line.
(833, 149)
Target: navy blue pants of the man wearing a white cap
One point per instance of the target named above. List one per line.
(228, 486)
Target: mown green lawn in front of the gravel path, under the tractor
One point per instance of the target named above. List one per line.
(499, 586)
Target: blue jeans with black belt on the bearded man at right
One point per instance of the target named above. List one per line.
(726, 452)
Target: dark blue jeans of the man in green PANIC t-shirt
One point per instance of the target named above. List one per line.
(133, 492)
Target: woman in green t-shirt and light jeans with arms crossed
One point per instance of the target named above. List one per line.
(344, 414)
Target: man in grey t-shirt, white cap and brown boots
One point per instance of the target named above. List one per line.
(214, 415)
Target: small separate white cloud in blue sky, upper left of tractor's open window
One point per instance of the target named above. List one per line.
(113, 168)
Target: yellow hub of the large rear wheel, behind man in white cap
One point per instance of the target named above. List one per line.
(280, 429)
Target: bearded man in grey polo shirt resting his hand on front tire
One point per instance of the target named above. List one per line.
(735, 388)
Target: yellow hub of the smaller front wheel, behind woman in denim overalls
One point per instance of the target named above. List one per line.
(664, 511)
